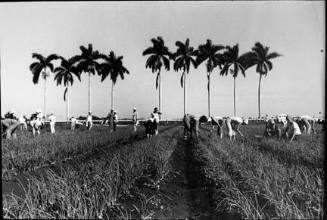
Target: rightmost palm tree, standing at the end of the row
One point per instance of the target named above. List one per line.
(261, 58)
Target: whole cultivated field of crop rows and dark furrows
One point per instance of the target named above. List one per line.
(123, 175)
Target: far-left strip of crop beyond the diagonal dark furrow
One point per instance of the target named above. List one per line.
(25, 153)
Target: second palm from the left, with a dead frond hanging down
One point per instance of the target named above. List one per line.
(65, 74)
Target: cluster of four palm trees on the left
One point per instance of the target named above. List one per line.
(89, 62)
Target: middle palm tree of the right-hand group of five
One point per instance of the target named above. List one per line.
(209, 52)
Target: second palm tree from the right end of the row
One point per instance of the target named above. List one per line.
(234, 63)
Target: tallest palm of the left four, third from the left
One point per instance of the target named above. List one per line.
(87, 63)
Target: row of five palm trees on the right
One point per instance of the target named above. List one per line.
(226, 58)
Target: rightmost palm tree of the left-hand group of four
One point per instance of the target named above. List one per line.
(112, 66)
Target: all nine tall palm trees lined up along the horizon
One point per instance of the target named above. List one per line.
(91, 61)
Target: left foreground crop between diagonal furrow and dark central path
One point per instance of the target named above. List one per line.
(95, 188)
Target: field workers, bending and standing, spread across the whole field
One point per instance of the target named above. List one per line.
(289, 128)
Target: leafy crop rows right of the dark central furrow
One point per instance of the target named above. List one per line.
(255, 184)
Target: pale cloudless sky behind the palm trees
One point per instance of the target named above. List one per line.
(295, 29)
